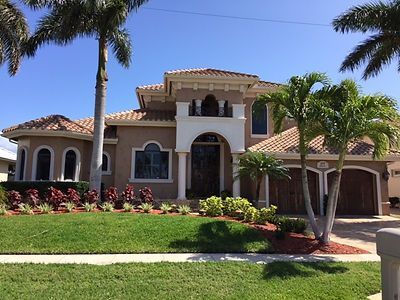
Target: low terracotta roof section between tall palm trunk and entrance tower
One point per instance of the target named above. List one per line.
(142, 115)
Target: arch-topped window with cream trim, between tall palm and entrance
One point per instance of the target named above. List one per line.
(151, 164)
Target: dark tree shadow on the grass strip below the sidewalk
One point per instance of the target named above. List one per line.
(295, 269)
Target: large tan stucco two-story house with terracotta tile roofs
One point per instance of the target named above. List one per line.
(188, 135)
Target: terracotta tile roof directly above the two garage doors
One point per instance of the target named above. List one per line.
(288, 142)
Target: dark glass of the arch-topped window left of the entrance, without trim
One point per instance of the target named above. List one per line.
(151, 163)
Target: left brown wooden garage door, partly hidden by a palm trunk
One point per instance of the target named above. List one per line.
(287, 195)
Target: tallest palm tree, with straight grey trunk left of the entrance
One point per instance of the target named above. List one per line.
(102, 20)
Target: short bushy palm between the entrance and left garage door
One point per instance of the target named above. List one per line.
(257, 165)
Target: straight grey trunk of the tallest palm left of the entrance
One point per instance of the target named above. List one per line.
(99, 111)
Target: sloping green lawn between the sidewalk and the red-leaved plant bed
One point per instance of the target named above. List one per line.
(125, 233)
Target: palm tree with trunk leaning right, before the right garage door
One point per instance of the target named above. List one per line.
(345, 116)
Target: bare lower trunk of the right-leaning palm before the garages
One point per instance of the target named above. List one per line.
(333, 198)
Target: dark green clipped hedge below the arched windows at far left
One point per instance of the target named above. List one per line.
(43, 186)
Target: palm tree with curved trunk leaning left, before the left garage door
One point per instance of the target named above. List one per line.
(292, 102)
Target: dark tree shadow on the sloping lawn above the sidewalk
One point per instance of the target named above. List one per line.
(221, 237)
